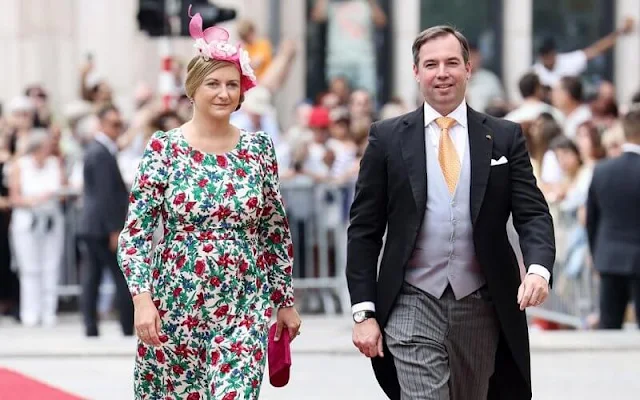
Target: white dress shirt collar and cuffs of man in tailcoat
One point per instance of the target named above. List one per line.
(460, 137)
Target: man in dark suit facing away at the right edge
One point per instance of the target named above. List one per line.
(613, 226)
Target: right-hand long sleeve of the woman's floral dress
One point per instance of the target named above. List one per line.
(275, 233)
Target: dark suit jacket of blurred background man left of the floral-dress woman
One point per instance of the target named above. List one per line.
(105, 197)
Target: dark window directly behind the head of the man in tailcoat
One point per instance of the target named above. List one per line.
(480, 23)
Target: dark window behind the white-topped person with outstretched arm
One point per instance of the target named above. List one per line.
(574, 25)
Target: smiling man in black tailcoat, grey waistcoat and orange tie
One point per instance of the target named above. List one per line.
(448, 296)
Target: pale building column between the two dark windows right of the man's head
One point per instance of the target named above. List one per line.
(517, 44)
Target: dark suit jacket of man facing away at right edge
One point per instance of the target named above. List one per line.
(613, 215)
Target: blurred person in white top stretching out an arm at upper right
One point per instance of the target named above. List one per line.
(552, 66)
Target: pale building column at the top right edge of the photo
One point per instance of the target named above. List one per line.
(627, 53)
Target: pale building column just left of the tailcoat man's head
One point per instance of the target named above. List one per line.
(406, 26)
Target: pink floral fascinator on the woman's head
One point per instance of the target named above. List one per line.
(213, 43)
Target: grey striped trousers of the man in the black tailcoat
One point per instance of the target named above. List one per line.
(444, 349)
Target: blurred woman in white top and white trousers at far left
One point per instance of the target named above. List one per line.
(37, 227)
